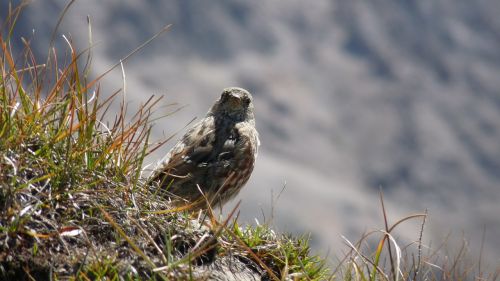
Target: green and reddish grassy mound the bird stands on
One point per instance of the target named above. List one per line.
(73, 203)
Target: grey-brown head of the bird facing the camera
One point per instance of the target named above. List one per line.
(235, 103)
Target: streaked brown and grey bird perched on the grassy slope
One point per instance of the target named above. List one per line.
(214, 159)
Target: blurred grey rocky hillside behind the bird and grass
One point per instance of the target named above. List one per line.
(351, 97)
